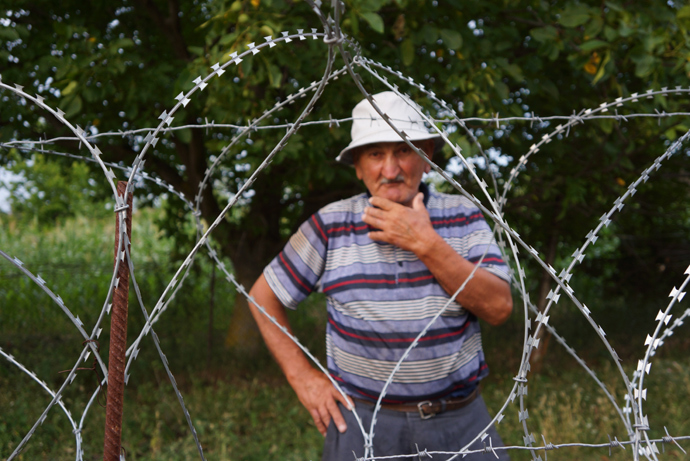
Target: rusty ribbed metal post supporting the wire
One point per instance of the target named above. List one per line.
(118, 343)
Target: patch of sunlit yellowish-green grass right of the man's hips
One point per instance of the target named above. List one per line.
(566, 407)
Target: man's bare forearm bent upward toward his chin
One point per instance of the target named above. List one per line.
(485, 295)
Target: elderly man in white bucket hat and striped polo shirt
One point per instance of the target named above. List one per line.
(388, 260)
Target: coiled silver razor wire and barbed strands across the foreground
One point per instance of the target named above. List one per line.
(631, 413)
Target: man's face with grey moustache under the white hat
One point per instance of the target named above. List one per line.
(392, 170)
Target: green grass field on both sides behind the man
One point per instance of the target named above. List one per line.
(242, 408)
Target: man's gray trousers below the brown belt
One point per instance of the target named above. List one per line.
(400, 433)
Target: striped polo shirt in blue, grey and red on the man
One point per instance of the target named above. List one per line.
(380, 297)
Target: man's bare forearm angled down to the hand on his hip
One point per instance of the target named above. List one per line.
(288, 355)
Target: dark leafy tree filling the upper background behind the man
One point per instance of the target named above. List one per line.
(118, 66)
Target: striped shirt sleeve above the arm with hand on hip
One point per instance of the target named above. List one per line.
(294, 273)
